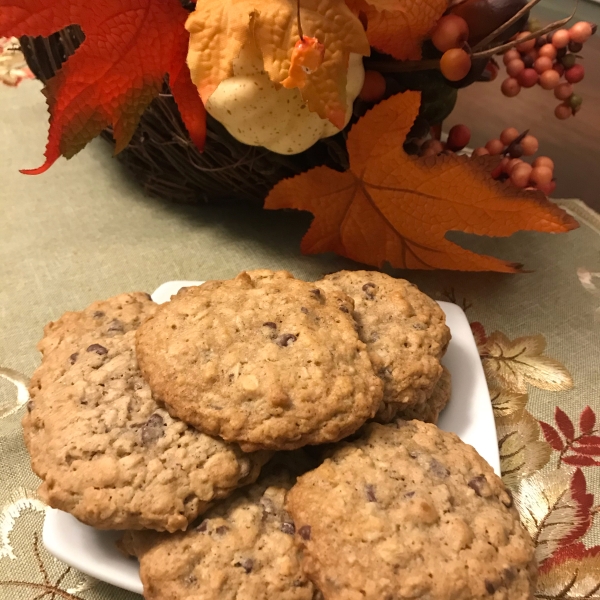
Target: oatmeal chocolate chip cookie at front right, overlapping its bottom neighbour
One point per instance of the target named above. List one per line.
(410, 511)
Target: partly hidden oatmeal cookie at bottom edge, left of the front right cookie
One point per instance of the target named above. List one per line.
(243, 549)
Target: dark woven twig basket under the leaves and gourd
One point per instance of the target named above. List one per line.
(166, 163)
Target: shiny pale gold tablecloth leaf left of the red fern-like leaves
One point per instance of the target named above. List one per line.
(551, 510)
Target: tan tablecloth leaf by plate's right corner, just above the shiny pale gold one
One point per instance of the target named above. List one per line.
(521, 450)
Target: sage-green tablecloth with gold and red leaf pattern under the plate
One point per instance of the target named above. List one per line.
(85, 231)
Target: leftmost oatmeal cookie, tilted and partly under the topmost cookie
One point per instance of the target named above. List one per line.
(106, 451)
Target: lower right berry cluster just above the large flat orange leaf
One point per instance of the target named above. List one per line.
(513, 145)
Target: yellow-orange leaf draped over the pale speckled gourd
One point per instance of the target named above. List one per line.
(218, 30)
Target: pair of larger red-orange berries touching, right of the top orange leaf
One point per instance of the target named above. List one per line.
(449, 37)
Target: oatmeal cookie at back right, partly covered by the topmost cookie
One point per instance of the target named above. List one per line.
(405, 332)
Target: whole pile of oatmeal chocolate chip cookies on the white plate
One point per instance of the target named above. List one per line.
(269, 438)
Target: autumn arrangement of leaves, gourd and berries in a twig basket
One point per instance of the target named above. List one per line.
(328, 106)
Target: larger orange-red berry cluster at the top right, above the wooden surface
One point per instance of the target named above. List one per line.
(546, 61)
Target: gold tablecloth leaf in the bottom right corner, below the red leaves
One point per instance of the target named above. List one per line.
(571, 578)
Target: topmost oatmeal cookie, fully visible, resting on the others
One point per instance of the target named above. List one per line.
(269, 363)
